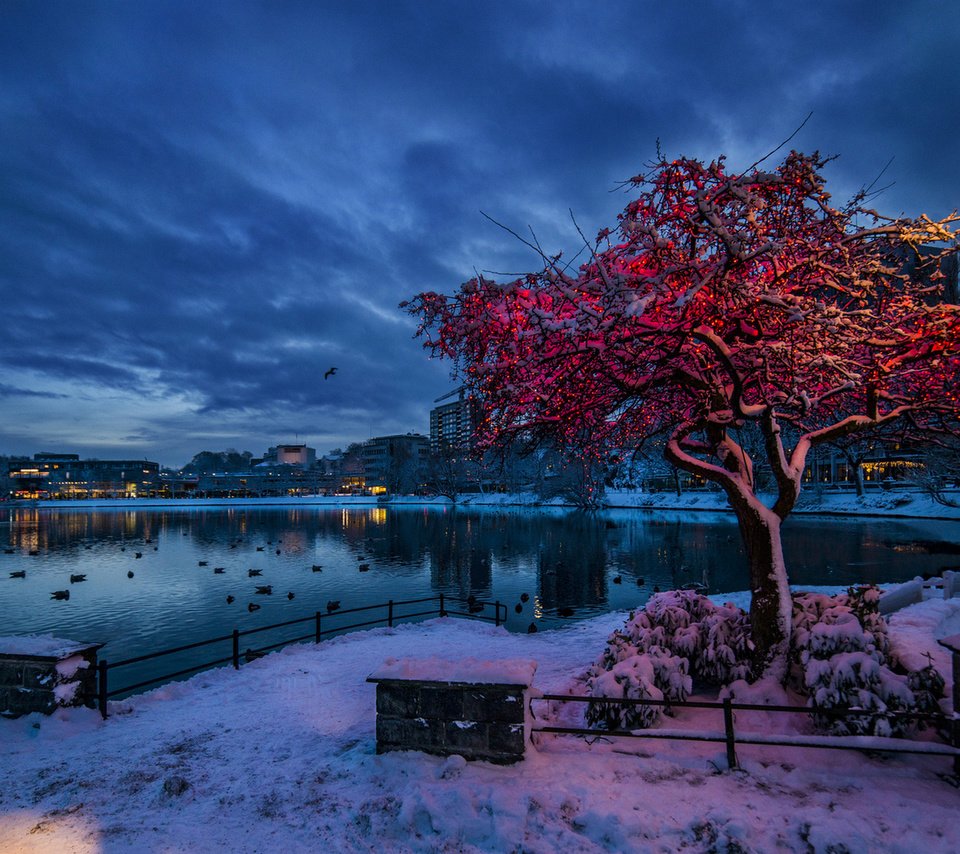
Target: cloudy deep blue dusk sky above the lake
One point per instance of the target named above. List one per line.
(205, 206)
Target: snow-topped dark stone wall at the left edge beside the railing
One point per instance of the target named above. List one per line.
(41, 675)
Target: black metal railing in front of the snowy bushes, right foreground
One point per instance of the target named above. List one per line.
(947, 726)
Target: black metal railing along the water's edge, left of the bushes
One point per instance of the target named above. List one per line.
(322, 624)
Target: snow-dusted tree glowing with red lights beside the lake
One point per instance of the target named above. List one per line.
(724, 303)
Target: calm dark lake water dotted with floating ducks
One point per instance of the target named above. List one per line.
(561, 558)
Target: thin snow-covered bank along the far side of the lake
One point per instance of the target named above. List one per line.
(892, 504)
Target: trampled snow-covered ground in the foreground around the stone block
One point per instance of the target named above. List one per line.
(281, 757)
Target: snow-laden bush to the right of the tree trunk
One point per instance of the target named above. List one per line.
(841, 660)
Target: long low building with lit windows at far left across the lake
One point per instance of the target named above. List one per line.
(67, 476)
